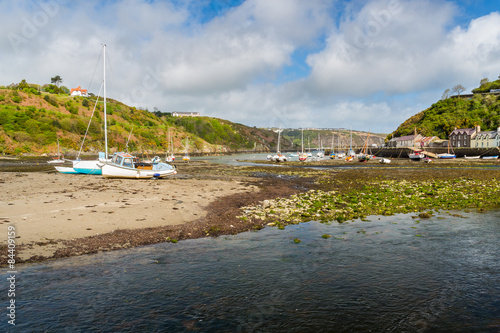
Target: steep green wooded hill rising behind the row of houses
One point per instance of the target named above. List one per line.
(482, 108)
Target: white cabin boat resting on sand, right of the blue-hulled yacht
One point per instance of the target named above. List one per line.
(124, 165)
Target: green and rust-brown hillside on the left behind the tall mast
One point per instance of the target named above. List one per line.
(32, 118)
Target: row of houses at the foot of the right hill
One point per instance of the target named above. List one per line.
(463, 137)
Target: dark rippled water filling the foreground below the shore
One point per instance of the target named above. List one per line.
(393, 274)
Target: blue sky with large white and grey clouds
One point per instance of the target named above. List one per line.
(365, 65)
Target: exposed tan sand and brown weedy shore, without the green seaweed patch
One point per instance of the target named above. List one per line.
(58, 216)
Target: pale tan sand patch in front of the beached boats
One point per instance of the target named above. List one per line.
(47, 209)
